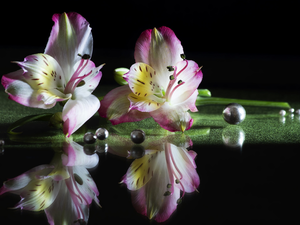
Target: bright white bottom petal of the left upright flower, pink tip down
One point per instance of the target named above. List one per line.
(77, 112)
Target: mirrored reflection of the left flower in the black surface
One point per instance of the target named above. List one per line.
(64, 188)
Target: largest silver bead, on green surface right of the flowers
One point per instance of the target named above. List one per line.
(234, 113)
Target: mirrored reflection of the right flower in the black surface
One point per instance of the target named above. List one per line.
(157, 178)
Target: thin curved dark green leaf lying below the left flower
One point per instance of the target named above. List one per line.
(27, 119)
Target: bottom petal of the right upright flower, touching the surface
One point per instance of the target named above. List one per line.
(172, 118)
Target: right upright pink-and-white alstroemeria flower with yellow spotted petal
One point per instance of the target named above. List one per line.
(161, 84)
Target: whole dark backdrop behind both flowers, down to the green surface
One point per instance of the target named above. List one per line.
(234, 39)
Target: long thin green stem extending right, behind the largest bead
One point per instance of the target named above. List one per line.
(224, 101)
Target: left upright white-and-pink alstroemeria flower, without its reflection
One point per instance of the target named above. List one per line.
(63, 72)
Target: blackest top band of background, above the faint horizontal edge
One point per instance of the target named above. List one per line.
(232, 26)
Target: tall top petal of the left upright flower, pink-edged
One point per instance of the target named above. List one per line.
(71, 35)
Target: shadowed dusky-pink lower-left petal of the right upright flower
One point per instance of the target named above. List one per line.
(115, 106)
